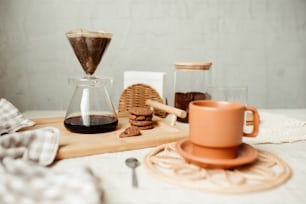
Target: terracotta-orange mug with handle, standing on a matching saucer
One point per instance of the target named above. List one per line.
(216, 128)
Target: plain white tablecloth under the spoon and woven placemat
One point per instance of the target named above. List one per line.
(116, 177)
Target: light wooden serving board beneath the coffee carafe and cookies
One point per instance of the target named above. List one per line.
(77, 145)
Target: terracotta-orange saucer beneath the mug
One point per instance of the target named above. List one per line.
(246, 155)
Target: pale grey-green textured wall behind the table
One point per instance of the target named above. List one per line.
(259, 43)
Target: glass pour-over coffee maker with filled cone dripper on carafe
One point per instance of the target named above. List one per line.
(90, 109)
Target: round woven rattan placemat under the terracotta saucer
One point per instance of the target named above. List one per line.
(266, 172)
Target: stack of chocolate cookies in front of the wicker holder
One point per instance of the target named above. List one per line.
(141, 117)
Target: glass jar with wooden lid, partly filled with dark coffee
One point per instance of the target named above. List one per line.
(191, 82)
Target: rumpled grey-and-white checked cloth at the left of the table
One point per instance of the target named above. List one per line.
(24, 157)
